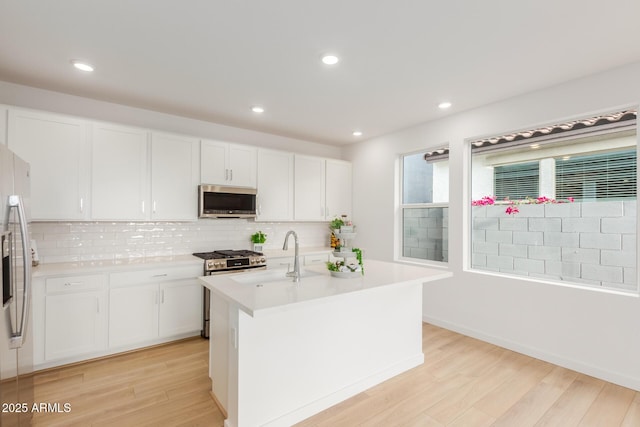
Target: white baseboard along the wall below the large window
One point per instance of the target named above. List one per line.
(575, 365)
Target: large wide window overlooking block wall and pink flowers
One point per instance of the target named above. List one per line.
(570, 208)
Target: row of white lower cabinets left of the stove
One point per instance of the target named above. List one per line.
(79, 317)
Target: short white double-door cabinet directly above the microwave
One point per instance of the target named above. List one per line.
(222, 163)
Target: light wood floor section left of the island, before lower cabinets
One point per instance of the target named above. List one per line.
(161, 386)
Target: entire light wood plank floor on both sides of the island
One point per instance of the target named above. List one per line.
(463, 382)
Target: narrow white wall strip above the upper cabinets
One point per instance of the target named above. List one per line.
(39, 99)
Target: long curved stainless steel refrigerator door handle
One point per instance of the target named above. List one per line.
(15, 201)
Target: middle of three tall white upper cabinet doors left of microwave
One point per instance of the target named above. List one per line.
(119, 184)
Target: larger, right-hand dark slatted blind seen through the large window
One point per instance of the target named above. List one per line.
(597, 176)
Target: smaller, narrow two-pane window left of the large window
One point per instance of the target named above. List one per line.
(424, 205)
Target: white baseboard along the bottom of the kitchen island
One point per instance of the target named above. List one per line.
(328, 401)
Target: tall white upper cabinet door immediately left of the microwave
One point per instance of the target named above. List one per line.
(174, 177)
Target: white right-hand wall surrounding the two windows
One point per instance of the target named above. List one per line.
(592, 331)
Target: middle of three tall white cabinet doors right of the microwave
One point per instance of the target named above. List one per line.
(309, 195)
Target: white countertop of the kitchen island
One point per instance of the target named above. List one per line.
(261, 292)
